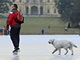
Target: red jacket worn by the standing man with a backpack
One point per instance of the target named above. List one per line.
(11, 18)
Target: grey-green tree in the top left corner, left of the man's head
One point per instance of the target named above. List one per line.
(4, 6)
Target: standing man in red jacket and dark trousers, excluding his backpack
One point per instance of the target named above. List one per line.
(15, 28)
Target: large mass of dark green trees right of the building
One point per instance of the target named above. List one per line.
(69, 11)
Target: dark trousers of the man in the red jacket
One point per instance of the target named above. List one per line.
(14, 34)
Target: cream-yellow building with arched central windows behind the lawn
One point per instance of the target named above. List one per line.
(37, 7)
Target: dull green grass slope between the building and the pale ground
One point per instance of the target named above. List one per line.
(33, 25)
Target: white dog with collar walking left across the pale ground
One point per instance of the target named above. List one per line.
(58, 44)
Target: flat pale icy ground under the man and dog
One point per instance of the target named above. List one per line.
(36, 47)
